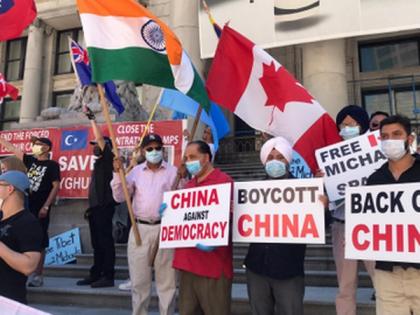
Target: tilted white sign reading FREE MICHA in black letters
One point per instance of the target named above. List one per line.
(349, 163)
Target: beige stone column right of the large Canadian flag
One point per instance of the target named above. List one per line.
(324, 73)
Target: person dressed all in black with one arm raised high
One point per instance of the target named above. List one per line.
(101, 211)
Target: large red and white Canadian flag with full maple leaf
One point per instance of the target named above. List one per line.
(247, 81)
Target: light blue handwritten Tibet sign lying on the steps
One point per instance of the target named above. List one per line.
(63, 248)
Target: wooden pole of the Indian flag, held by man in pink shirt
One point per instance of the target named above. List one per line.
(121, 173)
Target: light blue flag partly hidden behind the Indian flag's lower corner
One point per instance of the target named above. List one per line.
(181, 103)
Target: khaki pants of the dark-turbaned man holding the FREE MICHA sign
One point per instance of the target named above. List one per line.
(347, 276)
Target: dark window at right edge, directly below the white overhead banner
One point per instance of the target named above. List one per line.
(389, 55)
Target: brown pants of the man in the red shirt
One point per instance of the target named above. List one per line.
(200, 295)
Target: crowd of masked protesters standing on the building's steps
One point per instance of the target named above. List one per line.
(274, 272)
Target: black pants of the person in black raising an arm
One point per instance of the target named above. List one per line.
(100, 224)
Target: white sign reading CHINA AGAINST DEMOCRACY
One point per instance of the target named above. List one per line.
(196, 215)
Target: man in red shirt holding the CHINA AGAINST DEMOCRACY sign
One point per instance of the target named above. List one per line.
(205, 272)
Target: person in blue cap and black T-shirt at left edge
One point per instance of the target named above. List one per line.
(20, 237)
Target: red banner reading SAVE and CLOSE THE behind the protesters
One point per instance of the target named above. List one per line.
(71, 148)
